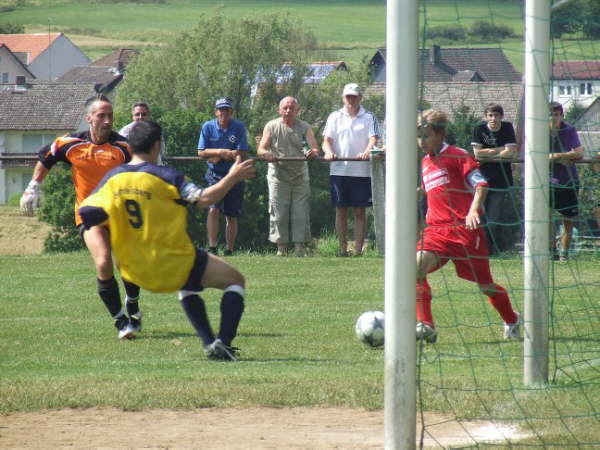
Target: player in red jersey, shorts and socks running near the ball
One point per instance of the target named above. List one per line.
(455, 191)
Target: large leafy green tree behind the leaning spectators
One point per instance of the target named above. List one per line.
(238, 58)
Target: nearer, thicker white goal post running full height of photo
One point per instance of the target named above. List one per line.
(400, 224)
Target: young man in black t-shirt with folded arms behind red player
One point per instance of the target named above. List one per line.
(494, 140)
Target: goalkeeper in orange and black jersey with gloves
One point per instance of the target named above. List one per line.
(91, 154)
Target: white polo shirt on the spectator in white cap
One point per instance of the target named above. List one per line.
(350, 137)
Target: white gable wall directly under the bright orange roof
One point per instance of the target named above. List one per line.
(61, 56)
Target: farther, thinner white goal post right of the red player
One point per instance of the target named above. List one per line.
(536, 248)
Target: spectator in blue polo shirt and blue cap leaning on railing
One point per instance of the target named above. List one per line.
(221, 140)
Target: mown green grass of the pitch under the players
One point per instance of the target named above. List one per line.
(58, 348)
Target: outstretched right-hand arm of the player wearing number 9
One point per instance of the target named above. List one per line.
(203, 198)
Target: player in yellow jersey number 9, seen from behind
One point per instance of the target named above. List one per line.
(144, 206)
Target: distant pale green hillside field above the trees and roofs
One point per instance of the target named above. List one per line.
(350, 29)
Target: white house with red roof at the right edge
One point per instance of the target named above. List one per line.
(575, 82)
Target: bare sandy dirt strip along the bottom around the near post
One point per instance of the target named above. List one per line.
(233, 428)
